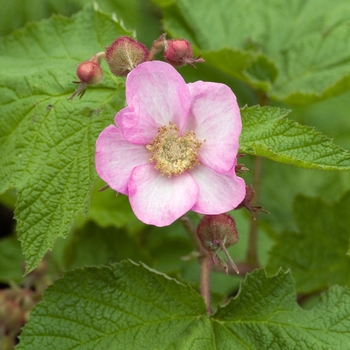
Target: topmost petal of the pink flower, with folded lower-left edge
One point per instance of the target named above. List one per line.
(156, 94)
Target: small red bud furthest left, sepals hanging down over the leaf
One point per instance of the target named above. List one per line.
(89, 73)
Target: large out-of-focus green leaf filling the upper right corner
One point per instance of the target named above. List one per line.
(306, 47)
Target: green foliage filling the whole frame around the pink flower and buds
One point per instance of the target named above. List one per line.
(292, 58)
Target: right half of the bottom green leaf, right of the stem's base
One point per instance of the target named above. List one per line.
(265, 315)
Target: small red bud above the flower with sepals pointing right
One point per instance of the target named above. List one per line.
(178, 52)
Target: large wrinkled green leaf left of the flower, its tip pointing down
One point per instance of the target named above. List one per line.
(47, 142)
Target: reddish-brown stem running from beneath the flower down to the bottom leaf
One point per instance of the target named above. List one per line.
(205, 262)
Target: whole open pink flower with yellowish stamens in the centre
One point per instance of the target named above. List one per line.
(175, 146)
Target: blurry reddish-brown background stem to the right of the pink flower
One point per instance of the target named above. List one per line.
(252, 253)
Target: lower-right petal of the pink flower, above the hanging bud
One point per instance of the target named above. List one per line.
(218, 193)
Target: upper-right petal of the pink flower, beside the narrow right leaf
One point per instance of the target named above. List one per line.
(215, 117)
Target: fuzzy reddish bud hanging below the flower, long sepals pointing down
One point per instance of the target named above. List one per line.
(216, 233)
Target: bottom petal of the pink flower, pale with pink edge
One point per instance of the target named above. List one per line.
(159, 200)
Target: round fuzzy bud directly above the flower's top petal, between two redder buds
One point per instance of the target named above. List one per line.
(124, 55)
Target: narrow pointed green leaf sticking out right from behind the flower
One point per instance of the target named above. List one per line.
(268, 133)
